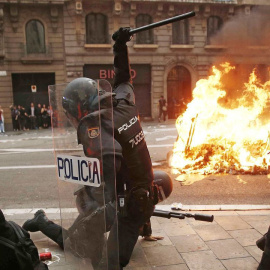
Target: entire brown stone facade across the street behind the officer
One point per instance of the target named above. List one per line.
(46, 42)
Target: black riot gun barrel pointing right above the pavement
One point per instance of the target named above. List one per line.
(168, 214)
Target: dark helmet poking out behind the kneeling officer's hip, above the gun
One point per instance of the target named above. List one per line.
(164, 183)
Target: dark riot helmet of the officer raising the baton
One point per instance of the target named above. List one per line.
(81, 97)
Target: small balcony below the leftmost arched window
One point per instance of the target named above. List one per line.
(41, 56)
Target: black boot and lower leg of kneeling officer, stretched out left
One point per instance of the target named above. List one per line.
(40, 222)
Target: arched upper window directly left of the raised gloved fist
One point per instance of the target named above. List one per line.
(96, 28)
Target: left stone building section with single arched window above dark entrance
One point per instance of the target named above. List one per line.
(32, 54)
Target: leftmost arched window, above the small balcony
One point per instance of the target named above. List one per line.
(35, 37)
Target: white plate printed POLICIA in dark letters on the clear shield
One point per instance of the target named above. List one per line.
(79, 170)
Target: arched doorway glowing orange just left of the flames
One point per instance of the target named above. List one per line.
(178, 91)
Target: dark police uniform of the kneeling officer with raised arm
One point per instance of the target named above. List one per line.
(121, 149)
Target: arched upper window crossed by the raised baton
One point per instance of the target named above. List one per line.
(144, 37)
